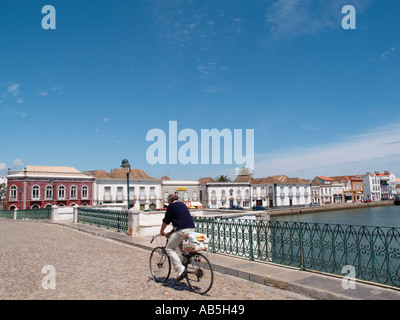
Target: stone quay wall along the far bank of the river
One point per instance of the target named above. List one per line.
(332, 207)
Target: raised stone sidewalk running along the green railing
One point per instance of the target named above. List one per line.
(308, 284)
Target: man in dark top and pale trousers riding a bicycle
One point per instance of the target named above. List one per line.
(182, 222)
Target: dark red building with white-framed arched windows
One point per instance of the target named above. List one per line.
(37, 187)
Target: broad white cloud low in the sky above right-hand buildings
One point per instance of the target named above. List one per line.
(356, 154)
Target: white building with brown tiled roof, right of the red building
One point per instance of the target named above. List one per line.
(110, 189)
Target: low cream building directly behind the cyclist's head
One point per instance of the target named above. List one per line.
(188, 191)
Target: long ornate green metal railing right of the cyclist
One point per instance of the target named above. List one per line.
(373, 252)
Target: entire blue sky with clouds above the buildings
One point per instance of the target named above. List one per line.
(321, 100)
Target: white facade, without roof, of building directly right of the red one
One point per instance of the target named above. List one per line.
(143, 194)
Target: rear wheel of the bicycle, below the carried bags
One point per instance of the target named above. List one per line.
(200, 275)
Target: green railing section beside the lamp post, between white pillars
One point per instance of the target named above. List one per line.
(115, 220)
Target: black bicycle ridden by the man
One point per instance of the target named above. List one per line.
(199, 273)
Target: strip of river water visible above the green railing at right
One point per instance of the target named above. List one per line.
(387, 216)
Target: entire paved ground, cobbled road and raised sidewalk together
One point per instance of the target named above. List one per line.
(236, 278)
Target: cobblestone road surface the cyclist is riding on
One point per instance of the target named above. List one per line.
(89, 267)
